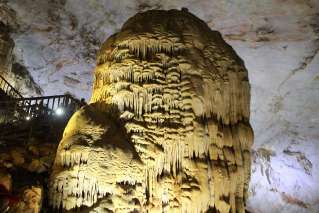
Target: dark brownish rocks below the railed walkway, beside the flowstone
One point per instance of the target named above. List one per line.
(24, 172)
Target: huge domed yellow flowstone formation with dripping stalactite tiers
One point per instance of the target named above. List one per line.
(167, 128)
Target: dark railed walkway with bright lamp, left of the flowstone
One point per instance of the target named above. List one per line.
(22, 118)
